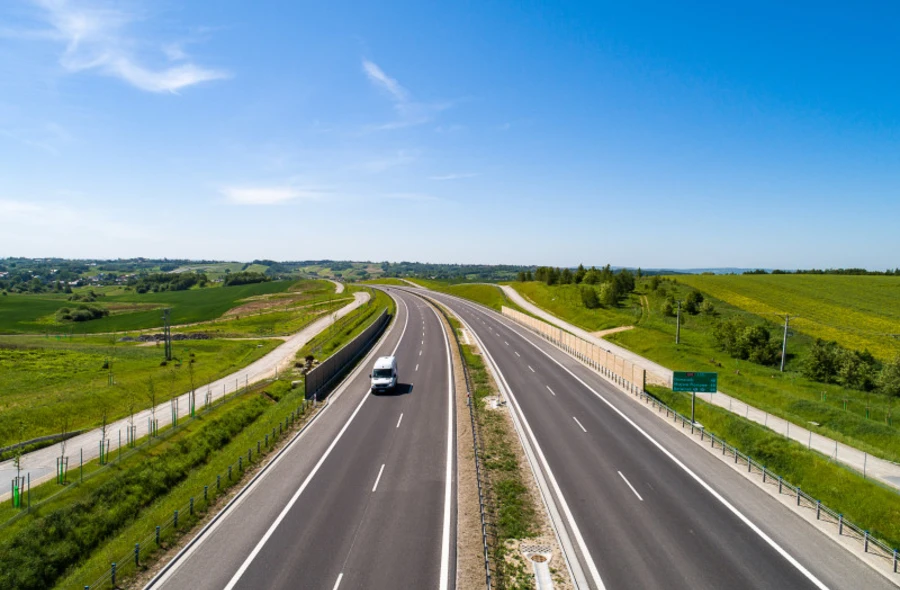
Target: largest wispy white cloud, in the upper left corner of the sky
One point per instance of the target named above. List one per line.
(97, 38)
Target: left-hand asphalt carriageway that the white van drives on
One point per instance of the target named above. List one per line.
(365, 497)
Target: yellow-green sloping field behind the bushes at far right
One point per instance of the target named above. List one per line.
(856, 311)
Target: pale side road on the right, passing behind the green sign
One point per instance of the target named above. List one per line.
(874, 467)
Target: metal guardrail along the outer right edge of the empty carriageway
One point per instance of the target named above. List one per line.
(845, 528)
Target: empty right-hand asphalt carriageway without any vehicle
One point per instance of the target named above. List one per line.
(636, 503)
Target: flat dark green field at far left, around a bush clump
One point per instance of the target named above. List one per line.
(130, 311)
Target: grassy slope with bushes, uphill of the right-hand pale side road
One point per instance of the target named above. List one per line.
(789, 395)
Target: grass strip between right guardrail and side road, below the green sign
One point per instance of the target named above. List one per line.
(869, 505)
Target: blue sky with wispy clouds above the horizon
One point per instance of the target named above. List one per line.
(637, 133)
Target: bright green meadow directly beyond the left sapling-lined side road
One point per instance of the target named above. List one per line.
(47, 381)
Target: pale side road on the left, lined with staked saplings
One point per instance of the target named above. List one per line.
(41, 464)
